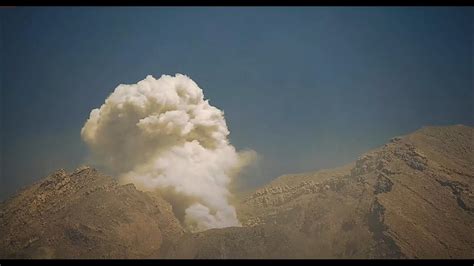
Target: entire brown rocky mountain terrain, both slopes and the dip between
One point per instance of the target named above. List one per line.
(411, 198)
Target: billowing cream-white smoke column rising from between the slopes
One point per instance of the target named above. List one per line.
(162, 134)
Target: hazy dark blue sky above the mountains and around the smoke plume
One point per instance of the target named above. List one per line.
(307, 88)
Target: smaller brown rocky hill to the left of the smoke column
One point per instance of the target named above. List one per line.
(85, 214)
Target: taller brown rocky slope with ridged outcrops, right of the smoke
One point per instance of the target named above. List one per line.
(411, 198)
